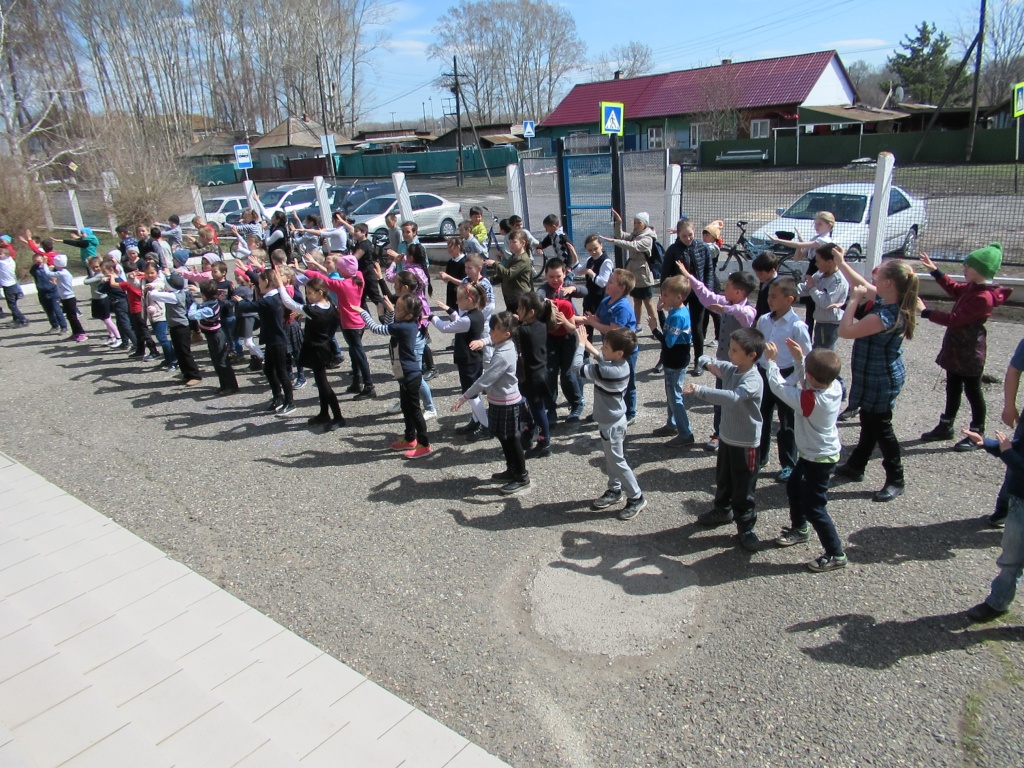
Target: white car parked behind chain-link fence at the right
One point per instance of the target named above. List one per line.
(851, 205)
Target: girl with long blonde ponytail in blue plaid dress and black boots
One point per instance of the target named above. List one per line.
(889, 315)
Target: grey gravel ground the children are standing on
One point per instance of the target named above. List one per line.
(551, 635)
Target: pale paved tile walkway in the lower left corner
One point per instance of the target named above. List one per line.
(113, 655)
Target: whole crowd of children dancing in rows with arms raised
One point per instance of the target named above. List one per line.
(514, 364)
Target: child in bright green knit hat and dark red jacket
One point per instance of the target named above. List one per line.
(963, 353)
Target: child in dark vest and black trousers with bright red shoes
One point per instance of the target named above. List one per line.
(402, 323)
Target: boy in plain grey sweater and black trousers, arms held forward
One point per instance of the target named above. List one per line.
(740, 395)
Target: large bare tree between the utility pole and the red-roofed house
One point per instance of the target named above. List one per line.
(515, 56)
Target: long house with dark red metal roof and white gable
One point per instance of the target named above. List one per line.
(679, 110)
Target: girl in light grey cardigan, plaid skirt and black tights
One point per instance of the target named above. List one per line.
(504, 401)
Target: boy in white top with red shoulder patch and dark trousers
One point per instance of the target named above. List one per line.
(817, 398)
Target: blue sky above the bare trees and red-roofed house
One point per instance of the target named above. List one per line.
(695, 35)
